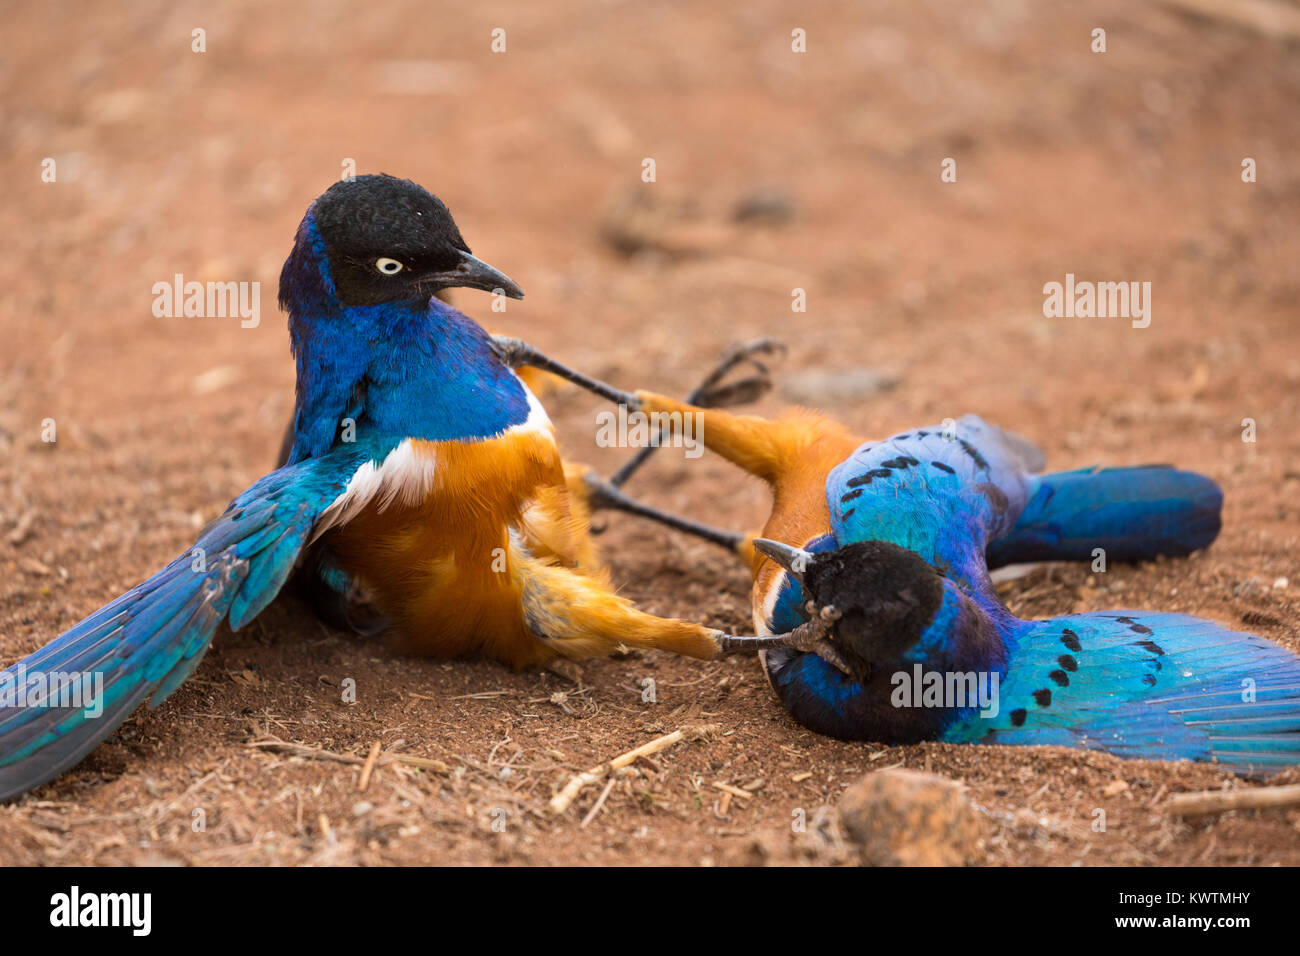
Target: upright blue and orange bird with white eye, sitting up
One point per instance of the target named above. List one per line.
(423, 475)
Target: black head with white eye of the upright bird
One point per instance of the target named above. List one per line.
(389, 240)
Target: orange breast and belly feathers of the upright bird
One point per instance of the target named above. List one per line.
(437, 533)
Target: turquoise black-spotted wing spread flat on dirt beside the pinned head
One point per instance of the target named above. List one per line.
(1150, 686)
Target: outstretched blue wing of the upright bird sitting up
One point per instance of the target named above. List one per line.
(63, 700)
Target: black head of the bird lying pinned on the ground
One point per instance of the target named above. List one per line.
(879, 596)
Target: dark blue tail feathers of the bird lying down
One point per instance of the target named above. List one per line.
(1134, 514)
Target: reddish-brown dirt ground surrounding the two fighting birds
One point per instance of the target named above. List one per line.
(1123, 166)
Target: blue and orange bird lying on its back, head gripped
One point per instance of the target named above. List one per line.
(881, 552)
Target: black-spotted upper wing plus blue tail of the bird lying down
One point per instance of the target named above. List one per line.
(952, 495)
